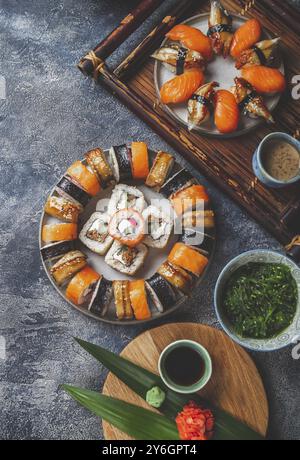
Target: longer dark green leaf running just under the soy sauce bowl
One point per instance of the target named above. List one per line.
(140, 381)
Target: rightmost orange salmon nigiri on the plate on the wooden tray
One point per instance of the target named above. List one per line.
(265, 79)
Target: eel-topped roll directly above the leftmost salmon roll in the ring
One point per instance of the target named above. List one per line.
(61, 208)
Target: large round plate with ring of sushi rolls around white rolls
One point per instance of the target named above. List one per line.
(126, 234)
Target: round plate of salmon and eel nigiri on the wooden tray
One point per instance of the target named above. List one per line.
(219, 74)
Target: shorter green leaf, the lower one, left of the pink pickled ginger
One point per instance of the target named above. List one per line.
(140, 423)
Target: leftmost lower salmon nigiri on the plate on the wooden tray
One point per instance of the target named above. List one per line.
(181, 88)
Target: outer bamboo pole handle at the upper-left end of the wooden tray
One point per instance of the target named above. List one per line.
(89, 63)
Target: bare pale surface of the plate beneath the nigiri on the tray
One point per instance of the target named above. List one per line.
(220, 70)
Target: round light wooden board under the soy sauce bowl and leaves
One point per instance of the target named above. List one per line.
(235, 385)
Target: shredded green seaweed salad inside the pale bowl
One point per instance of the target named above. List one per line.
(261, 299)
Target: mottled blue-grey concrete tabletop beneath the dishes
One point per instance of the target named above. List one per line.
(50, 117)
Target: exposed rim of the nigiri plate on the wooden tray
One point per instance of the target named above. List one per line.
(200, 129)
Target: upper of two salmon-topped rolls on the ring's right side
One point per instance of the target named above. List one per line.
(188, 198)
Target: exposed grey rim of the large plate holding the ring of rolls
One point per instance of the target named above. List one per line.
(181, 301)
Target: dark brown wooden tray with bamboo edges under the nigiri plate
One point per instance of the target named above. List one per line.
(226, 162)
